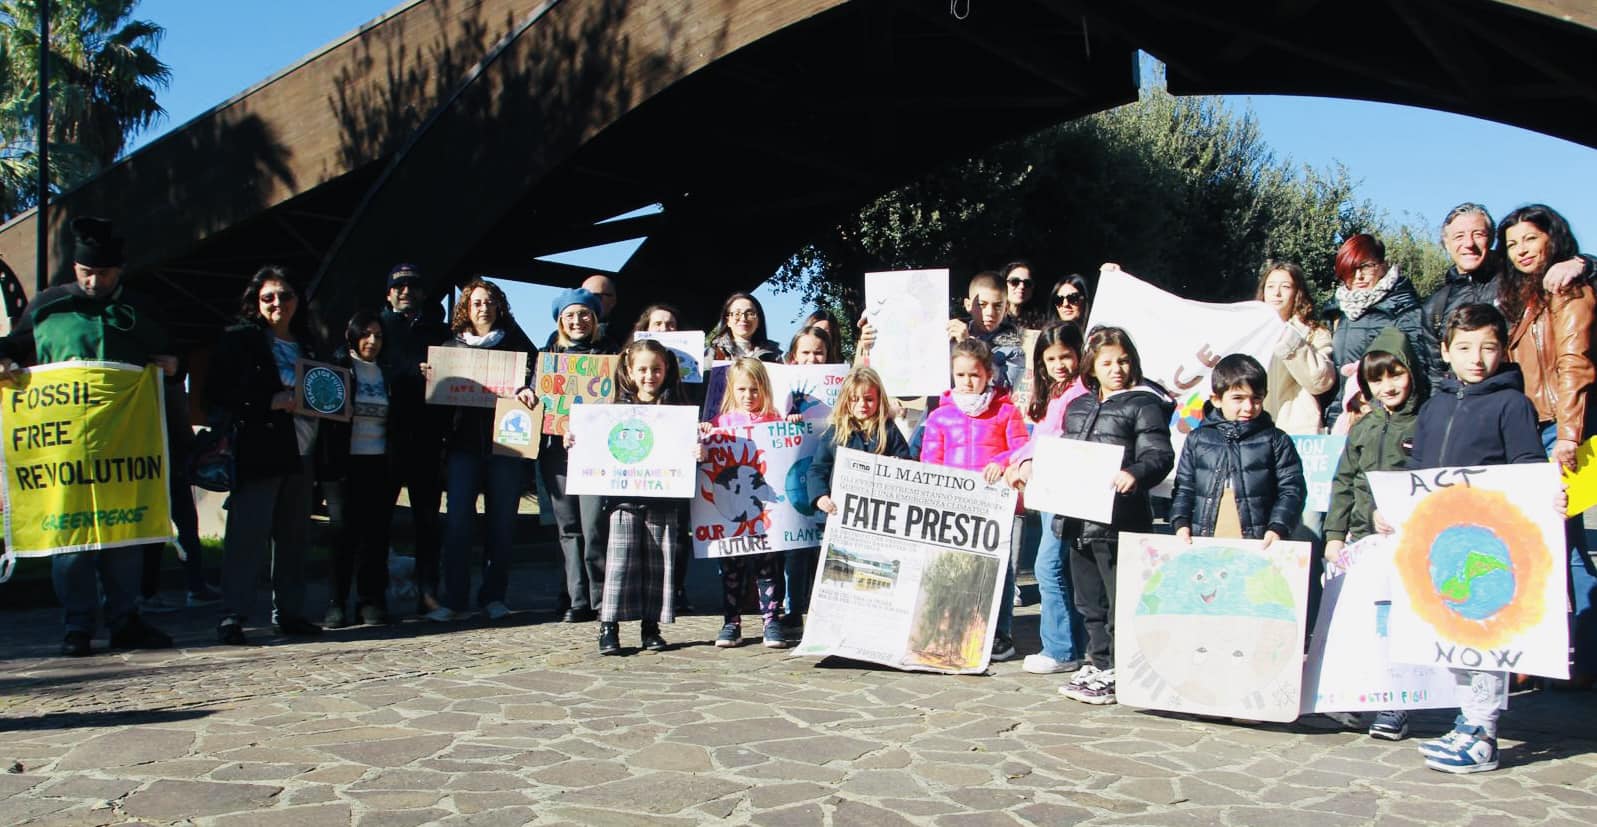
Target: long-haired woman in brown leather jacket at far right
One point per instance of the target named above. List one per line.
(1553, 344)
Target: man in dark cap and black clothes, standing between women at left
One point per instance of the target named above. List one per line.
(411, 325)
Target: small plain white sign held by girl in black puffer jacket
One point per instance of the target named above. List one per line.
(1074, 478)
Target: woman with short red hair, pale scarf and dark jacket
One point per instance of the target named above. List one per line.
(1373, 296)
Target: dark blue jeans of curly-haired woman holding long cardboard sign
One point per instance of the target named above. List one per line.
(501, 481)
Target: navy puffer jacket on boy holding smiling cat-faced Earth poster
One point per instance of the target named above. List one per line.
(1262, 467)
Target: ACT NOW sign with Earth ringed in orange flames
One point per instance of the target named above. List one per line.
(1481, 568)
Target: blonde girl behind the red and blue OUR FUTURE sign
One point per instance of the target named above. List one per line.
(748, 402)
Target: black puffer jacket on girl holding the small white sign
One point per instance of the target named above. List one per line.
(1139, 421)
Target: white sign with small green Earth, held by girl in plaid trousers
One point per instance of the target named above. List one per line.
(641, 451)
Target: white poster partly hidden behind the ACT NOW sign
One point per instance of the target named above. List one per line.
(1349, 667)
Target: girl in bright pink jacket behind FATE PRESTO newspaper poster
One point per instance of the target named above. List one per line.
(978, 429)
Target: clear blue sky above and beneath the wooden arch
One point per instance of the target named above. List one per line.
(1413, 164)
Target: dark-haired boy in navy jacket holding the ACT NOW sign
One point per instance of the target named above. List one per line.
(1480, 416)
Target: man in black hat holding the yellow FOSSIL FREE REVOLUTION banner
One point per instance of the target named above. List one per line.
(95, 319)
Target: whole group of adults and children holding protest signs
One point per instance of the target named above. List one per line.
(1518, 293)
